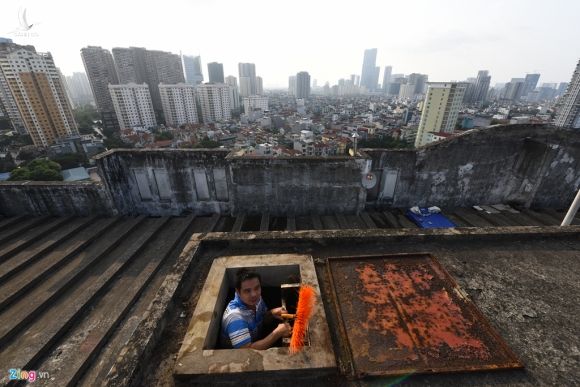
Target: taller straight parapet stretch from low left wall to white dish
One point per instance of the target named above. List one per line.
(171, 182)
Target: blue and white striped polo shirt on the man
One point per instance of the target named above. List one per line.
(240, 324)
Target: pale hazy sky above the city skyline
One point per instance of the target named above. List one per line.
(446, 39)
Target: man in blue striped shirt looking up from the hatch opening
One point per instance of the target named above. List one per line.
(244, 316)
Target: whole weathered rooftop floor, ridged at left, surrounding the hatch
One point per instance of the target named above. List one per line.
(108, 300)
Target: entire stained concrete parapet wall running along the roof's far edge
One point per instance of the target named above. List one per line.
(529, 165)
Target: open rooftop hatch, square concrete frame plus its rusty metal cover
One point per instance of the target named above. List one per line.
(398, 315)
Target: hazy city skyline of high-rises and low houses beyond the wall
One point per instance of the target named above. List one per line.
(141, 94)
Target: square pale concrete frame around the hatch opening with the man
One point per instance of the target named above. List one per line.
(198, 362)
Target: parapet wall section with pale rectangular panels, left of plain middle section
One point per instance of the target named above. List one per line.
(170, 182)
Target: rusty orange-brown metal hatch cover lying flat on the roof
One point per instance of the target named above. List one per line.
(404, 314)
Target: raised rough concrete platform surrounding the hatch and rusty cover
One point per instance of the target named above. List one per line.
(523, 279)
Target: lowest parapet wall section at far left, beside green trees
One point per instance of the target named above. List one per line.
(54, 198)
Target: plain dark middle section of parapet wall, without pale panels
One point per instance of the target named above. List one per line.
(297, 186)
